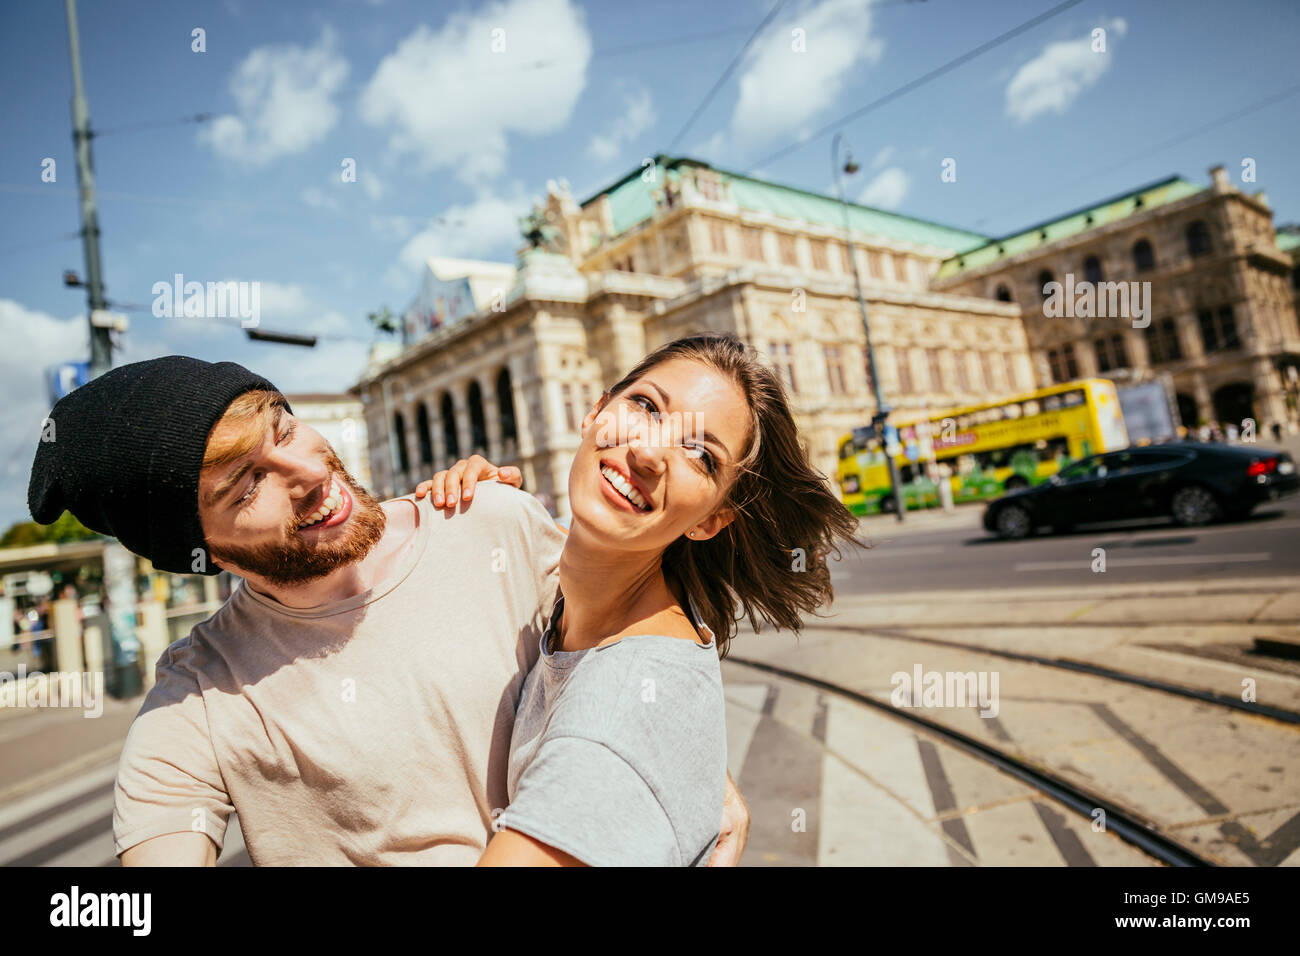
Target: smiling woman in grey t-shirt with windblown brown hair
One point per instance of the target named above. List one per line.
(694, 504)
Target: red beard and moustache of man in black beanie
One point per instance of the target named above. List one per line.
(298, 561)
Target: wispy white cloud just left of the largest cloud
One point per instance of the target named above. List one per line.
(285, 102)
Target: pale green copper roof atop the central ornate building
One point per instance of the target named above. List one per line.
(631, 204)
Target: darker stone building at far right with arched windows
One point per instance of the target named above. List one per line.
(1215, 285)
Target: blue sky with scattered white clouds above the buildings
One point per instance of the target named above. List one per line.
(453, 139)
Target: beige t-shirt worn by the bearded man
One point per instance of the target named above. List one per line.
(370, 732)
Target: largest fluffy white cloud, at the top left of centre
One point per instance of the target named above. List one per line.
(449, 101)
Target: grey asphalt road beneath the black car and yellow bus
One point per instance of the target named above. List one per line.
(934, 553)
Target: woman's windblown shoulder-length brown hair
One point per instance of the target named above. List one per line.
(770, 564)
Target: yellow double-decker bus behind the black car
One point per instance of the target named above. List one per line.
(987, 449)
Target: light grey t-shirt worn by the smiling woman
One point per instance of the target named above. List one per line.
(619, 752)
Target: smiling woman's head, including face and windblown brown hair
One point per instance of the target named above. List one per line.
(773, 521)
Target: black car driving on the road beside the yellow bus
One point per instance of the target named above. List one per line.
(1189, 482)
